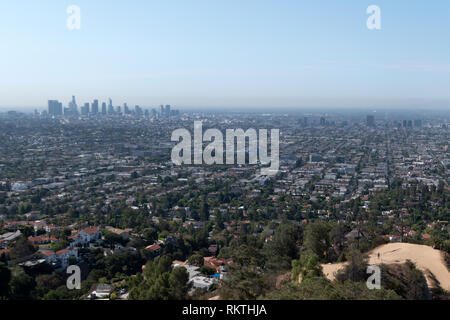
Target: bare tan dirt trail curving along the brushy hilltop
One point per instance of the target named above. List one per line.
(426, 259)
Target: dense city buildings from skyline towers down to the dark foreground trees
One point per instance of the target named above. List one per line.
(78, 185)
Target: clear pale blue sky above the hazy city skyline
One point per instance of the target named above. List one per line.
(240, 53)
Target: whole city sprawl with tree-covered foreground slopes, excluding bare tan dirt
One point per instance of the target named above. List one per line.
(94, 186)
